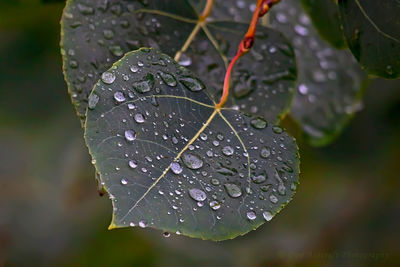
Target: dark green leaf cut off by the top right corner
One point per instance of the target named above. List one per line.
(372, 30)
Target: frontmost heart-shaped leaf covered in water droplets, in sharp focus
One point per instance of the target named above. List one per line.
(170, 160)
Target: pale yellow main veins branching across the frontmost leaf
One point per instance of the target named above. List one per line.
(216, 111)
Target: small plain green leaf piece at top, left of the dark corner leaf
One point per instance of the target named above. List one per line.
(325, 16)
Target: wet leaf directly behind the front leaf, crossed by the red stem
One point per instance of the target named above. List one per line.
(96, 34)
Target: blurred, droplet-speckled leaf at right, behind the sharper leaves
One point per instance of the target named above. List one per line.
(330, 81)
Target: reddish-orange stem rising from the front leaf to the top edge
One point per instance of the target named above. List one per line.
(245, 45)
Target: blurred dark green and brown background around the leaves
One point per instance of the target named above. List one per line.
(346, 210)
